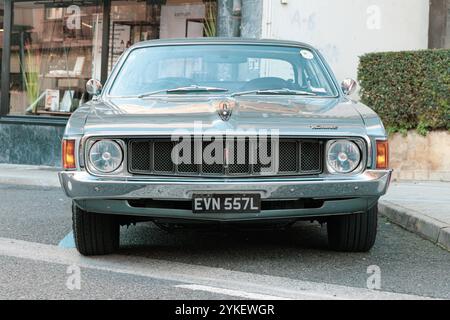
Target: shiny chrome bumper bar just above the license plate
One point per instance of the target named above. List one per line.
(80, 185)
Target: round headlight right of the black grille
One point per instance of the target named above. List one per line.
(343, 156)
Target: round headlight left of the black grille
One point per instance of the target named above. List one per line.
(105, 156)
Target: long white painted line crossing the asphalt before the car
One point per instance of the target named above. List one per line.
(279, 287)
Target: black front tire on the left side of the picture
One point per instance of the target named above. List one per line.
(94, 233)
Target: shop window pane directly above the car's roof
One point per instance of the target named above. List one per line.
(134, 21)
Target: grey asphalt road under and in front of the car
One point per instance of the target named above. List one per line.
(188, 264)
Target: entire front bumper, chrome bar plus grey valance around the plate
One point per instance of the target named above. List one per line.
(110, 195)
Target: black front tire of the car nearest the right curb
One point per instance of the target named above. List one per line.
(353, 232)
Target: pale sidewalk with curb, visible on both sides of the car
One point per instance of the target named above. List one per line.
(420, 207)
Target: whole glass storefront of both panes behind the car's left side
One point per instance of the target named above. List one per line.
(56, 46)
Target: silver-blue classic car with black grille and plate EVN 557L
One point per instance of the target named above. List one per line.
(231, 131)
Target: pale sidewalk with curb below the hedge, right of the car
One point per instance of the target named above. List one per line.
(421, 207)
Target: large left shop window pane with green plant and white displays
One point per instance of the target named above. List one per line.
(52, 50)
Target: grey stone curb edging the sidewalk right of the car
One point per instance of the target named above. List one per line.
(429, 228)
